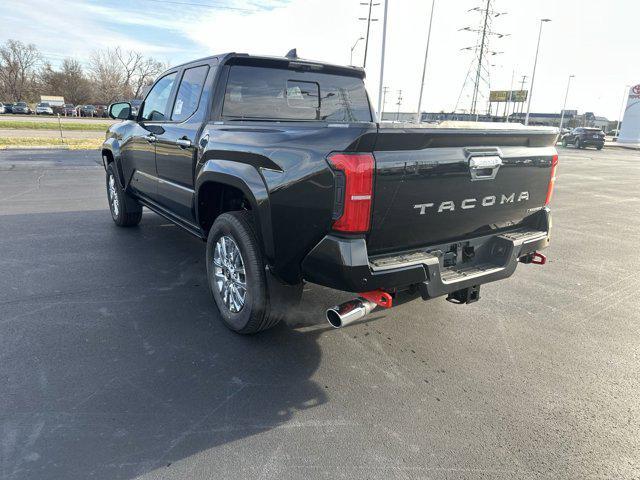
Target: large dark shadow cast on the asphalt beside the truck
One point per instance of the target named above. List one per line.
(115, 362)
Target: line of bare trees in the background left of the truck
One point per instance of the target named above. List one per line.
(110, 74)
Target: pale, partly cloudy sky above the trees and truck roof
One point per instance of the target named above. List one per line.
(596, 41)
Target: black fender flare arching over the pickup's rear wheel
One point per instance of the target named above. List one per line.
(247, 179)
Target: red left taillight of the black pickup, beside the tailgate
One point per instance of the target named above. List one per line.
(354, 189)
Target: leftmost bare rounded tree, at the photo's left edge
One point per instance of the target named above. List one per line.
(18, 64)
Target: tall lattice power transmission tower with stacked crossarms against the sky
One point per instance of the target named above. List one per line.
(477, 82)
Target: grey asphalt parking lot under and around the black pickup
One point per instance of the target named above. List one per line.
(113, 364)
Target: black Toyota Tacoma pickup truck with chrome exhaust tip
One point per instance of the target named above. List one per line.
(280, 166)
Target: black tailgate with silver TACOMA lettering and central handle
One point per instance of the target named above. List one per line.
(436, 185)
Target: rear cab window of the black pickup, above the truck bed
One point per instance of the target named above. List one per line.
(281, 94)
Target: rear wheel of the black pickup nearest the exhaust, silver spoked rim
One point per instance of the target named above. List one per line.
(246, 298)
